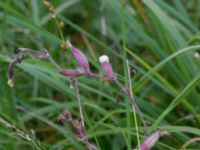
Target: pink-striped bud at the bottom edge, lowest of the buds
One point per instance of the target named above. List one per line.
(150, 141)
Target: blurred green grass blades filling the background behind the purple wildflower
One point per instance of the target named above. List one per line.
(158, 38)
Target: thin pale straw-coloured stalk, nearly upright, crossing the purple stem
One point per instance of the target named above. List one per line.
(134, 113)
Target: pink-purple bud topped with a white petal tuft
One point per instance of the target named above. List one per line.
(107, 68)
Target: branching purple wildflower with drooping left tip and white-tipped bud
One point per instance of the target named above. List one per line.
(82, 70)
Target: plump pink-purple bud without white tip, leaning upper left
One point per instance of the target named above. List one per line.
(81, 58)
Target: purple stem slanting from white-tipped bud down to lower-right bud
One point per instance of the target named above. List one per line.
(134, 104)
